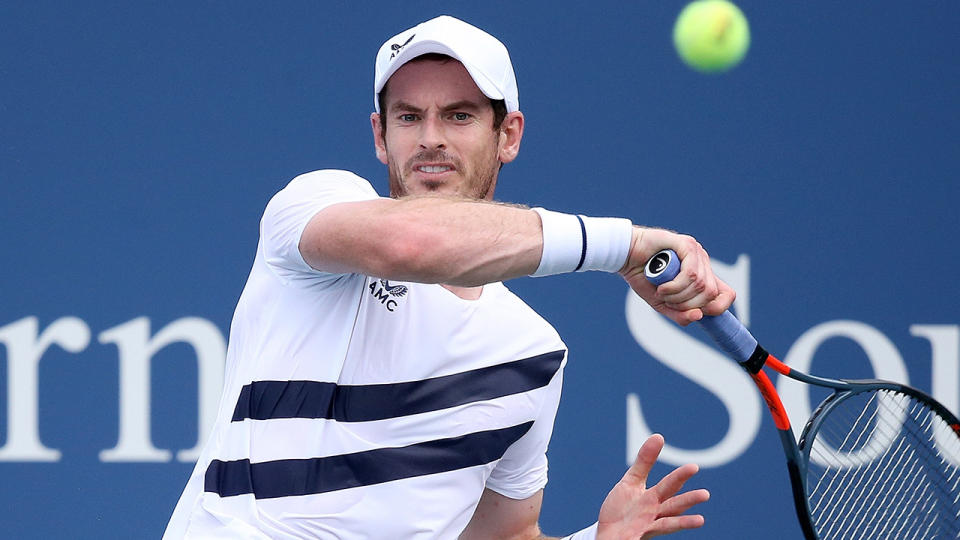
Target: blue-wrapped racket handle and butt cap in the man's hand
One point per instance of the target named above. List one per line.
(729, 333)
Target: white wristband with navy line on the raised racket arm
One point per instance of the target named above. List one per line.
(579, 243)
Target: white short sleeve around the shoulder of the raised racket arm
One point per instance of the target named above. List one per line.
(289, 211)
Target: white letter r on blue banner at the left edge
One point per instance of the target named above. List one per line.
(25, 348)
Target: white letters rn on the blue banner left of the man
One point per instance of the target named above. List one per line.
(136, 349)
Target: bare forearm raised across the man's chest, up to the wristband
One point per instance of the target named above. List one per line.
(425, 239)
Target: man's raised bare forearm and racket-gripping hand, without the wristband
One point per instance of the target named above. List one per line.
(469, 243)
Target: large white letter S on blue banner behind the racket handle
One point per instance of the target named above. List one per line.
(704, 365)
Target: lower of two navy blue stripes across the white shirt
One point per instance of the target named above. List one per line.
(292, 477)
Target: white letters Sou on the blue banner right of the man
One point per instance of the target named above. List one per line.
(705, 366)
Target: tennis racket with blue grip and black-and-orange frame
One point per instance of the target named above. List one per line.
(877, 459)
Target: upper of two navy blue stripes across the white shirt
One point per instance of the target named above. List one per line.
(266, 400)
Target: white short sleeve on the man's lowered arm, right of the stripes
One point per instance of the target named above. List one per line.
(523, 469)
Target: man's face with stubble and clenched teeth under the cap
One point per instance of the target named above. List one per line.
(439, 132)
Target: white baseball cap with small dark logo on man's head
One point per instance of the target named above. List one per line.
(485, 58)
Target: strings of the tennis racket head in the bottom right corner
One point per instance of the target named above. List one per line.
(883, 465)
